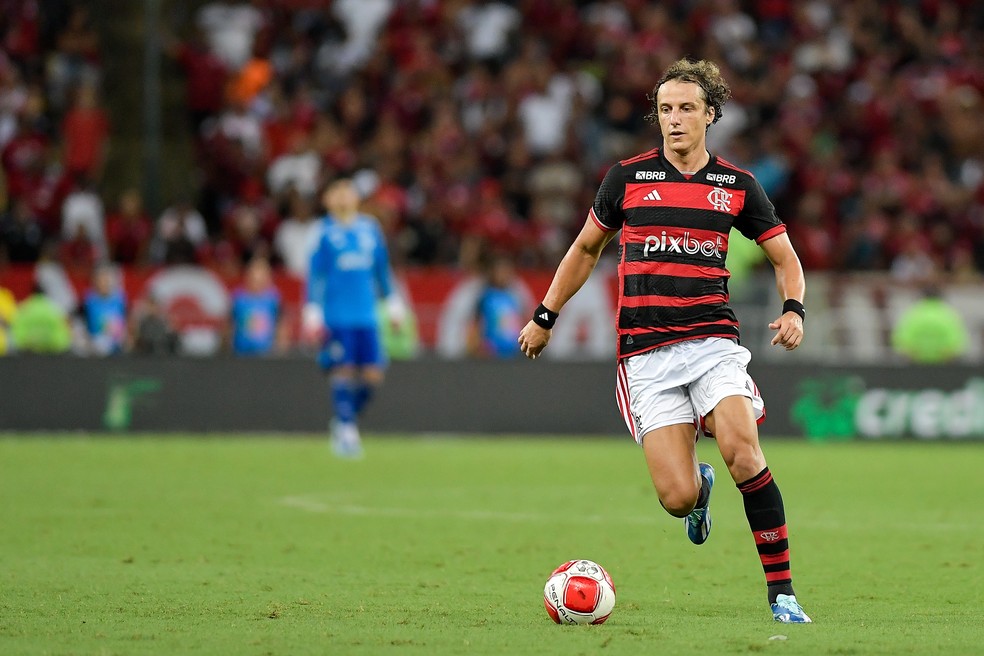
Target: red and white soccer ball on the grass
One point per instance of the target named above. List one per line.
(579, 592)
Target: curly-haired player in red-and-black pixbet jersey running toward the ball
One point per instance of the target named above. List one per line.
(680, 365)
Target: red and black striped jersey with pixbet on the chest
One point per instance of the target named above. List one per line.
(673, 283)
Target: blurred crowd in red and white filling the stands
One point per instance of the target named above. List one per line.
(477, 125)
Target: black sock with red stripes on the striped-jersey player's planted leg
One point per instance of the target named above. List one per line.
(767, 519)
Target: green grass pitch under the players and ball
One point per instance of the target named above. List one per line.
(268, 545)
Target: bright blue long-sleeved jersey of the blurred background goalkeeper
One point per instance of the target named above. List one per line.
(349, 271)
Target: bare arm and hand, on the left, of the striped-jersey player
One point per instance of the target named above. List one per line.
(573, 272)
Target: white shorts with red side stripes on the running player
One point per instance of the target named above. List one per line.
(681, 383)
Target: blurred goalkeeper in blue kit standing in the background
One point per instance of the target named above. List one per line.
(349, 272)
